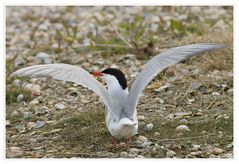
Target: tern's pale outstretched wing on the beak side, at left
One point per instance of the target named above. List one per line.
(66, 72)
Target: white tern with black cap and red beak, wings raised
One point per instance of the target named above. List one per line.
(121, 113)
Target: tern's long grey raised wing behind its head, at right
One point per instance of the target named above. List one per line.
(160, 62)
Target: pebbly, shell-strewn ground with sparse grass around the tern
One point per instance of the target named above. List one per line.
(185, 112)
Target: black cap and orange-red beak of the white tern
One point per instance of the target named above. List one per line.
(114, 72)
